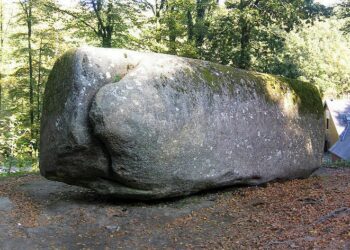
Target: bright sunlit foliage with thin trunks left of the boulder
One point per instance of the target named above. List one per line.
(23, 77)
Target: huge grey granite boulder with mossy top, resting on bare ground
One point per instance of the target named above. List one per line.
(147, 126)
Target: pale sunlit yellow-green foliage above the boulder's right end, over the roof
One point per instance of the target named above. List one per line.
(318, 53)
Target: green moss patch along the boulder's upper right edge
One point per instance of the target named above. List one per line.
(274, 88)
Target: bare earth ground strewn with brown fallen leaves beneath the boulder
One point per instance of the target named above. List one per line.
(312, 213)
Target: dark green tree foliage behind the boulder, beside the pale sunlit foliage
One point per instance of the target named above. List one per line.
(248, 34)
